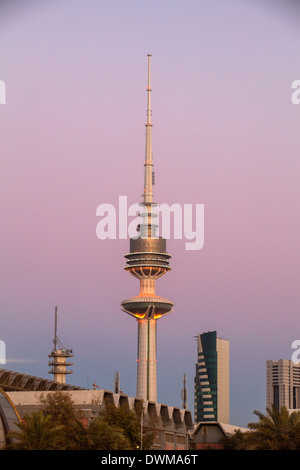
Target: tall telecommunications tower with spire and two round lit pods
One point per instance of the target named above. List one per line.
(147, 261)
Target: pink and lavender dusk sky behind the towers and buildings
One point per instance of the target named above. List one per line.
(225, 135)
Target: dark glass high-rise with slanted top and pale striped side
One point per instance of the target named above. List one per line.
(212, 379)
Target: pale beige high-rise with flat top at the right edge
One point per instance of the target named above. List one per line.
(283, 384)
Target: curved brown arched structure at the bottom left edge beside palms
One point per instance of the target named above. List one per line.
(9, 417)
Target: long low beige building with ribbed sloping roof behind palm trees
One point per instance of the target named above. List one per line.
(175, 427)
